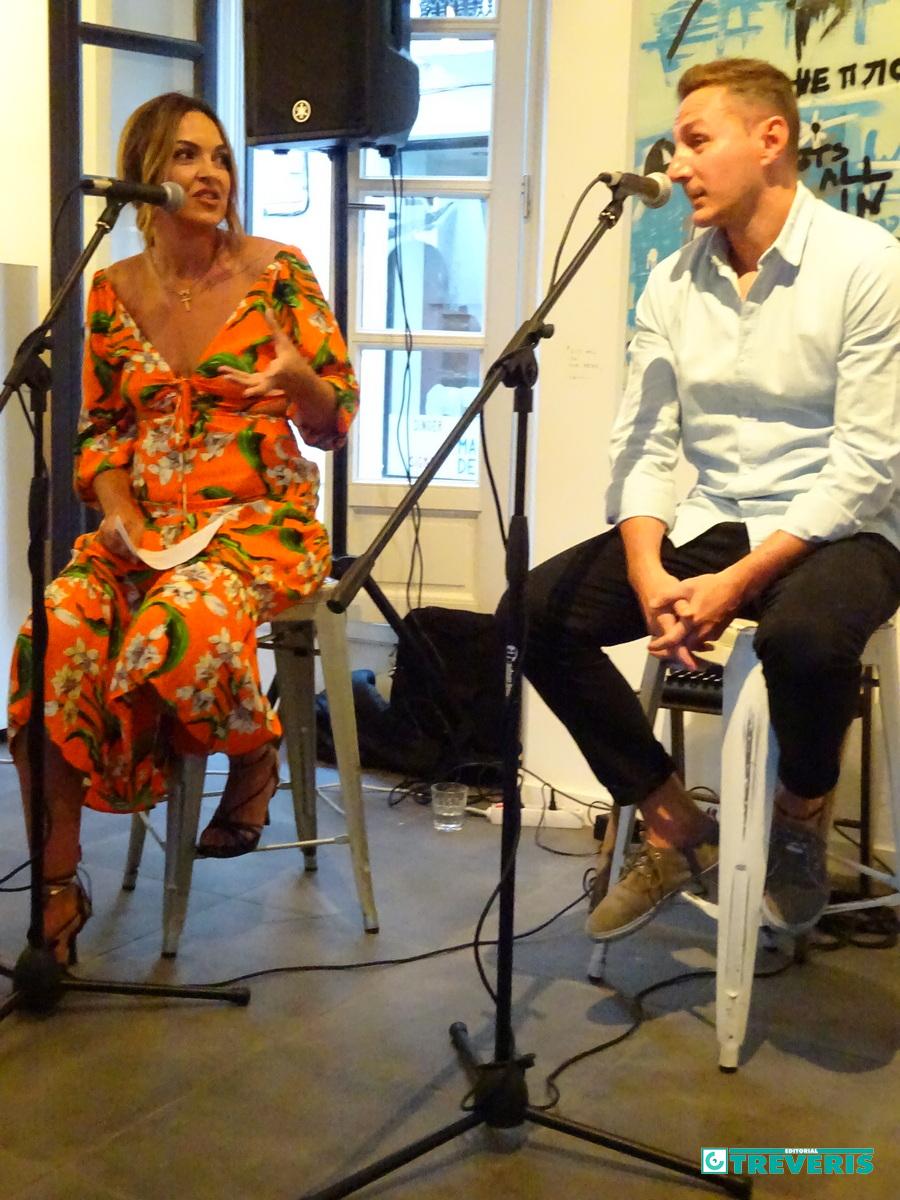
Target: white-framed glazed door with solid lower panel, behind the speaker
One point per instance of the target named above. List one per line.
(454, 235)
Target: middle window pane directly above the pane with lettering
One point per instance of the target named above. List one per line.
(440, 247)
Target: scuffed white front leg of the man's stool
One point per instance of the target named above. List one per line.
(748, 770)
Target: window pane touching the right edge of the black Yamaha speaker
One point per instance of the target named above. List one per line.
(452, 133)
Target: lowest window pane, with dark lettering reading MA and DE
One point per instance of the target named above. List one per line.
(407, 412)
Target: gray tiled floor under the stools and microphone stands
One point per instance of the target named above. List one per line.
(123, 1100)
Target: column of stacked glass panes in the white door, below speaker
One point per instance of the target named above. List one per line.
(419, 321)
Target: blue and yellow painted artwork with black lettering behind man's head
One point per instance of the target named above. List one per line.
(844, 57)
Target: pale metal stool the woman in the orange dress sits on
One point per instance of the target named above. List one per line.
(295, 637)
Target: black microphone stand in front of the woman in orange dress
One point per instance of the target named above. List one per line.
(39, 981)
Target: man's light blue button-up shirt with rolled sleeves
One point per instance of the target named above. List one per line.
(788, 404)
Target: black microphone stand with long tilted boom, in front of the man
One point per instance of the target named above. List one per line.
(500, 1094)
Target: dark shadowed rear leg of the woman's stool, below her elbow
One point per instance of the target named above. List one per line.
(296, 668)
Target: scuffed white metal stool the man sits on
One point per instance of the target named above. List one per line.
(748, 781)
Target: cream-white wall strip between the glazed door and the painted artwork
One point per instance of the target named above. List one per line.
(586, 130)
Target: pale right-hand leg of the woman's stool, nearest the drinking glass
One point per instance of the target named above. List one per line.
(332, 629)
